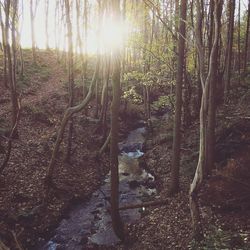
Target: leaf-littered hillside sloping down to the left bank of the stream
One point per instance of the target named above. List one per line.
(44, 99)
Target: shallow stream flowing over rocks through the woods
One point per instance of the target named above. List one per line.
(90, 223)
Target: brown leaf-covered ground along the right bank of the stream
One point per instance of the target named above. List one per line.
(225, 196)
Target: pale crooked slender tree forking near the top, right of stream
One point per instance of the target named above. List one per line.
(206, 82)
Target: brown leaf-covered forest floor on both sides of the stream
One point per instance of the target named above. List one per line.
(224, 200)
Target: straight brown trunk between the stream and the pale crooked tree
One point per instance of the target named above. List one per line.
(178, 100)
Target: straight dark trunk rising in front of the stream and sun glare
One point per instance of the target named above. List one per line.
(114, 133)
